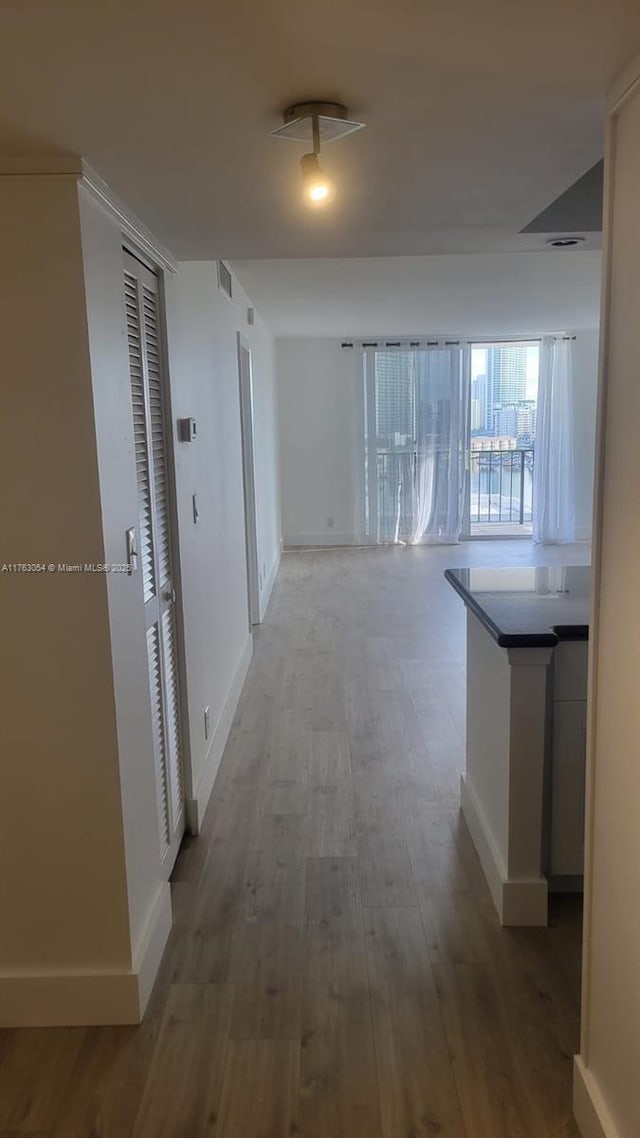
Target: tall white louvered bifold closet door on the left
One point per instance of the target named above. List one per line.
(154, 537)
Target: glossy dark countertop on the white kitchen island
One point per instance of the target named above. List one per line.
(528, 606)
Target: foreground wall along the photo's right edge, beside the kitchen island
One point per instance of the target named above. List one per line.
(608, 1091)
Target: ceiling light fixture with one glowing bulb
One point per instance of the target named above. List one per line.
(316, 123)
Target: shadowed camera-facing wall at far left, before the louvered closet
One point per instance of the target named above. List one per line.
(64, 908)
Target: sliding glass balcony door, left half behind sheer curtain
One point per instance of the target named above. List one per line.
(450, 440)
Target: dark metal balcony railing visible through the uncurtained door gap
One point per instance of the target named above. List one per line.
(502, 488)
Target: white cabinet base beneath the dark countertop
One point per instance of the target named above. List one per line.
(523, 790)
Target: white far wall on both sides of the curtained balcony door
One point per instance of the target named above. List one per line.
(322, 439)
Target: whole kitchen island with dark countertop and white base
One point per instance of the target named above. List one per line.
(523, 788)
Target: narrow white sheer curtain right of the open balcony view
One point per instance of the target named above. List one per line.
(554, 492)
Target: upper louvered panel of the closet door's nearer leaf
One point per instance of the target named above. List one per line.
(138, 402)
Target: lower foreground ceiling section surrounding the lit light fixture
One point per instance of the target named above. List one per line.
(480, 113)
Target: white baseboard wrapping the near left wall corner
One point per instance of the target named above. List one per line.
(68, 1000)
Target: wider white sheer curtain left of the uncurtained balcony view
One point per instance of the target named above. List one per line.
(417, 428)
